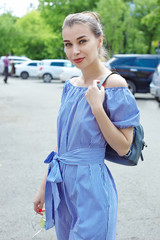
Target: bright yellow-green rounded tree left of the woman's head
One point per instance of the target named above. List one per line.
(36, 39)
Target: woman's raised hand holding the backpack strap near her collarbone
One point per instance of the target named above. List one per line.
(95, 96)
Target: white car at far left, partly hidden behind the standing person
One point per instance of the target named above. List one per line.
(13, 61)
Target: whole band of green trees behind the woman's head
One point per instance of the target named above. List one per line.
(129, 27)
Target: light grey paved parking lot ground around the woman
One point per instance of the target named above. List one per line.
(28, 110)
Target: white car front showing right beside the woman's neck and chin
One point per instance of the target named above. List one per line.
(68, 73)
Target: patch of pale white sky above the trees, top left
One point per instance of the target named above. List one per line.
(18, 7)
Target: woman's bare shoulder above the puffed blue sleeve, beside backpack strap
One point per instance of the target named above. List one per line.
(115, 80)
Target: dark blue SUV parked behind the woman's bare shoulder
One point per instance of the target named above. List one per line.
(137, 69)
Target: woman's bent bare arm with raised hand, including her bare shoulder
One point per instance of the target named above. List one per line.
(119, 139)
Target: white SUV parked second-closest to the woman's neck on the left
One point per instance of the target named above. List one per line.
(52, 68)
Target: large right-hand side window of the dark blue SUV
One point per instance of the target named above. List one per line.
(150, 63)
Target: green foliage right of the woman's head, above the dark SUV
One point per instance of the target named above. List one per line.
(130, 26)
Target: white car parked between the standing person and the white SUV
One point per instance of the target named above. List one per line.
(28, 69)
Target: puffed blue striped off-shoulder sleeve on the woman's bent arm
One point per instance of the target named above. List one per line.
(120, 105)
